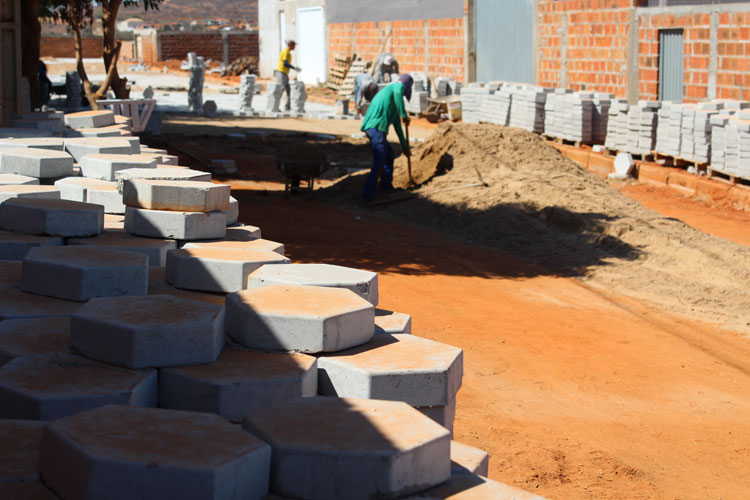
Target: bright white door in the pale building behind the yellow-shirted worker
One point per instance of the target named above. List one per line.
(311, 37)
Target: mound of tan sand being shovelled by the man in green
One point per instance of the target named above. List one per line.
(536, 204)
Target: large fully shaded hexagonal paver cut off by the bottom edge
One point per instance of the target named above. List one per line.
(124, 453)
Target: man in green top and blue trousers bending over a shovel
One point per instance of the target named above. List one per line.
(386, 109)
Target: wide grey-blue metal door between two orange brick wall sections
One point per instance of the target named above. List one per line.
(504, 34)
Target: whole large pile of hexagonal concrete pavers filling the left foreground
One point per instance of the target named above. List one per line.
(130, 345)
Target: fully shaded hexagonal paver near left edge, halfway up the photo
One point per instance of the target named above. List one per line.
(81, 273)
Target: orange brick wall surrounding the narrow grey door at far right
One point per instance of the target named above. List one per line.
(733, 63)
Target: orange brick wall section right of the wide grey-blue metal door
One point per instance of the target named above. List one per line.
(597, 44)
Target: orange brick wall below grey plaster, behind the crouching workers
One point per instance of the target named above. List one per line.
(440, 53)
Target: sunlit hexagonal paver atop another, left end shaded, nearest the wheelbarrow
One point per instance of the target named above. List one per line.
(177, 196)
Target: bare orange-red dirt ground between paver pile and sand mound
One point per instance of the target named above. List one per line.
(575, 393)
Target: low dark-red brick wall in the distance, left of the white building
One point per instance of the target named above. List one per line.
(209, 45)
